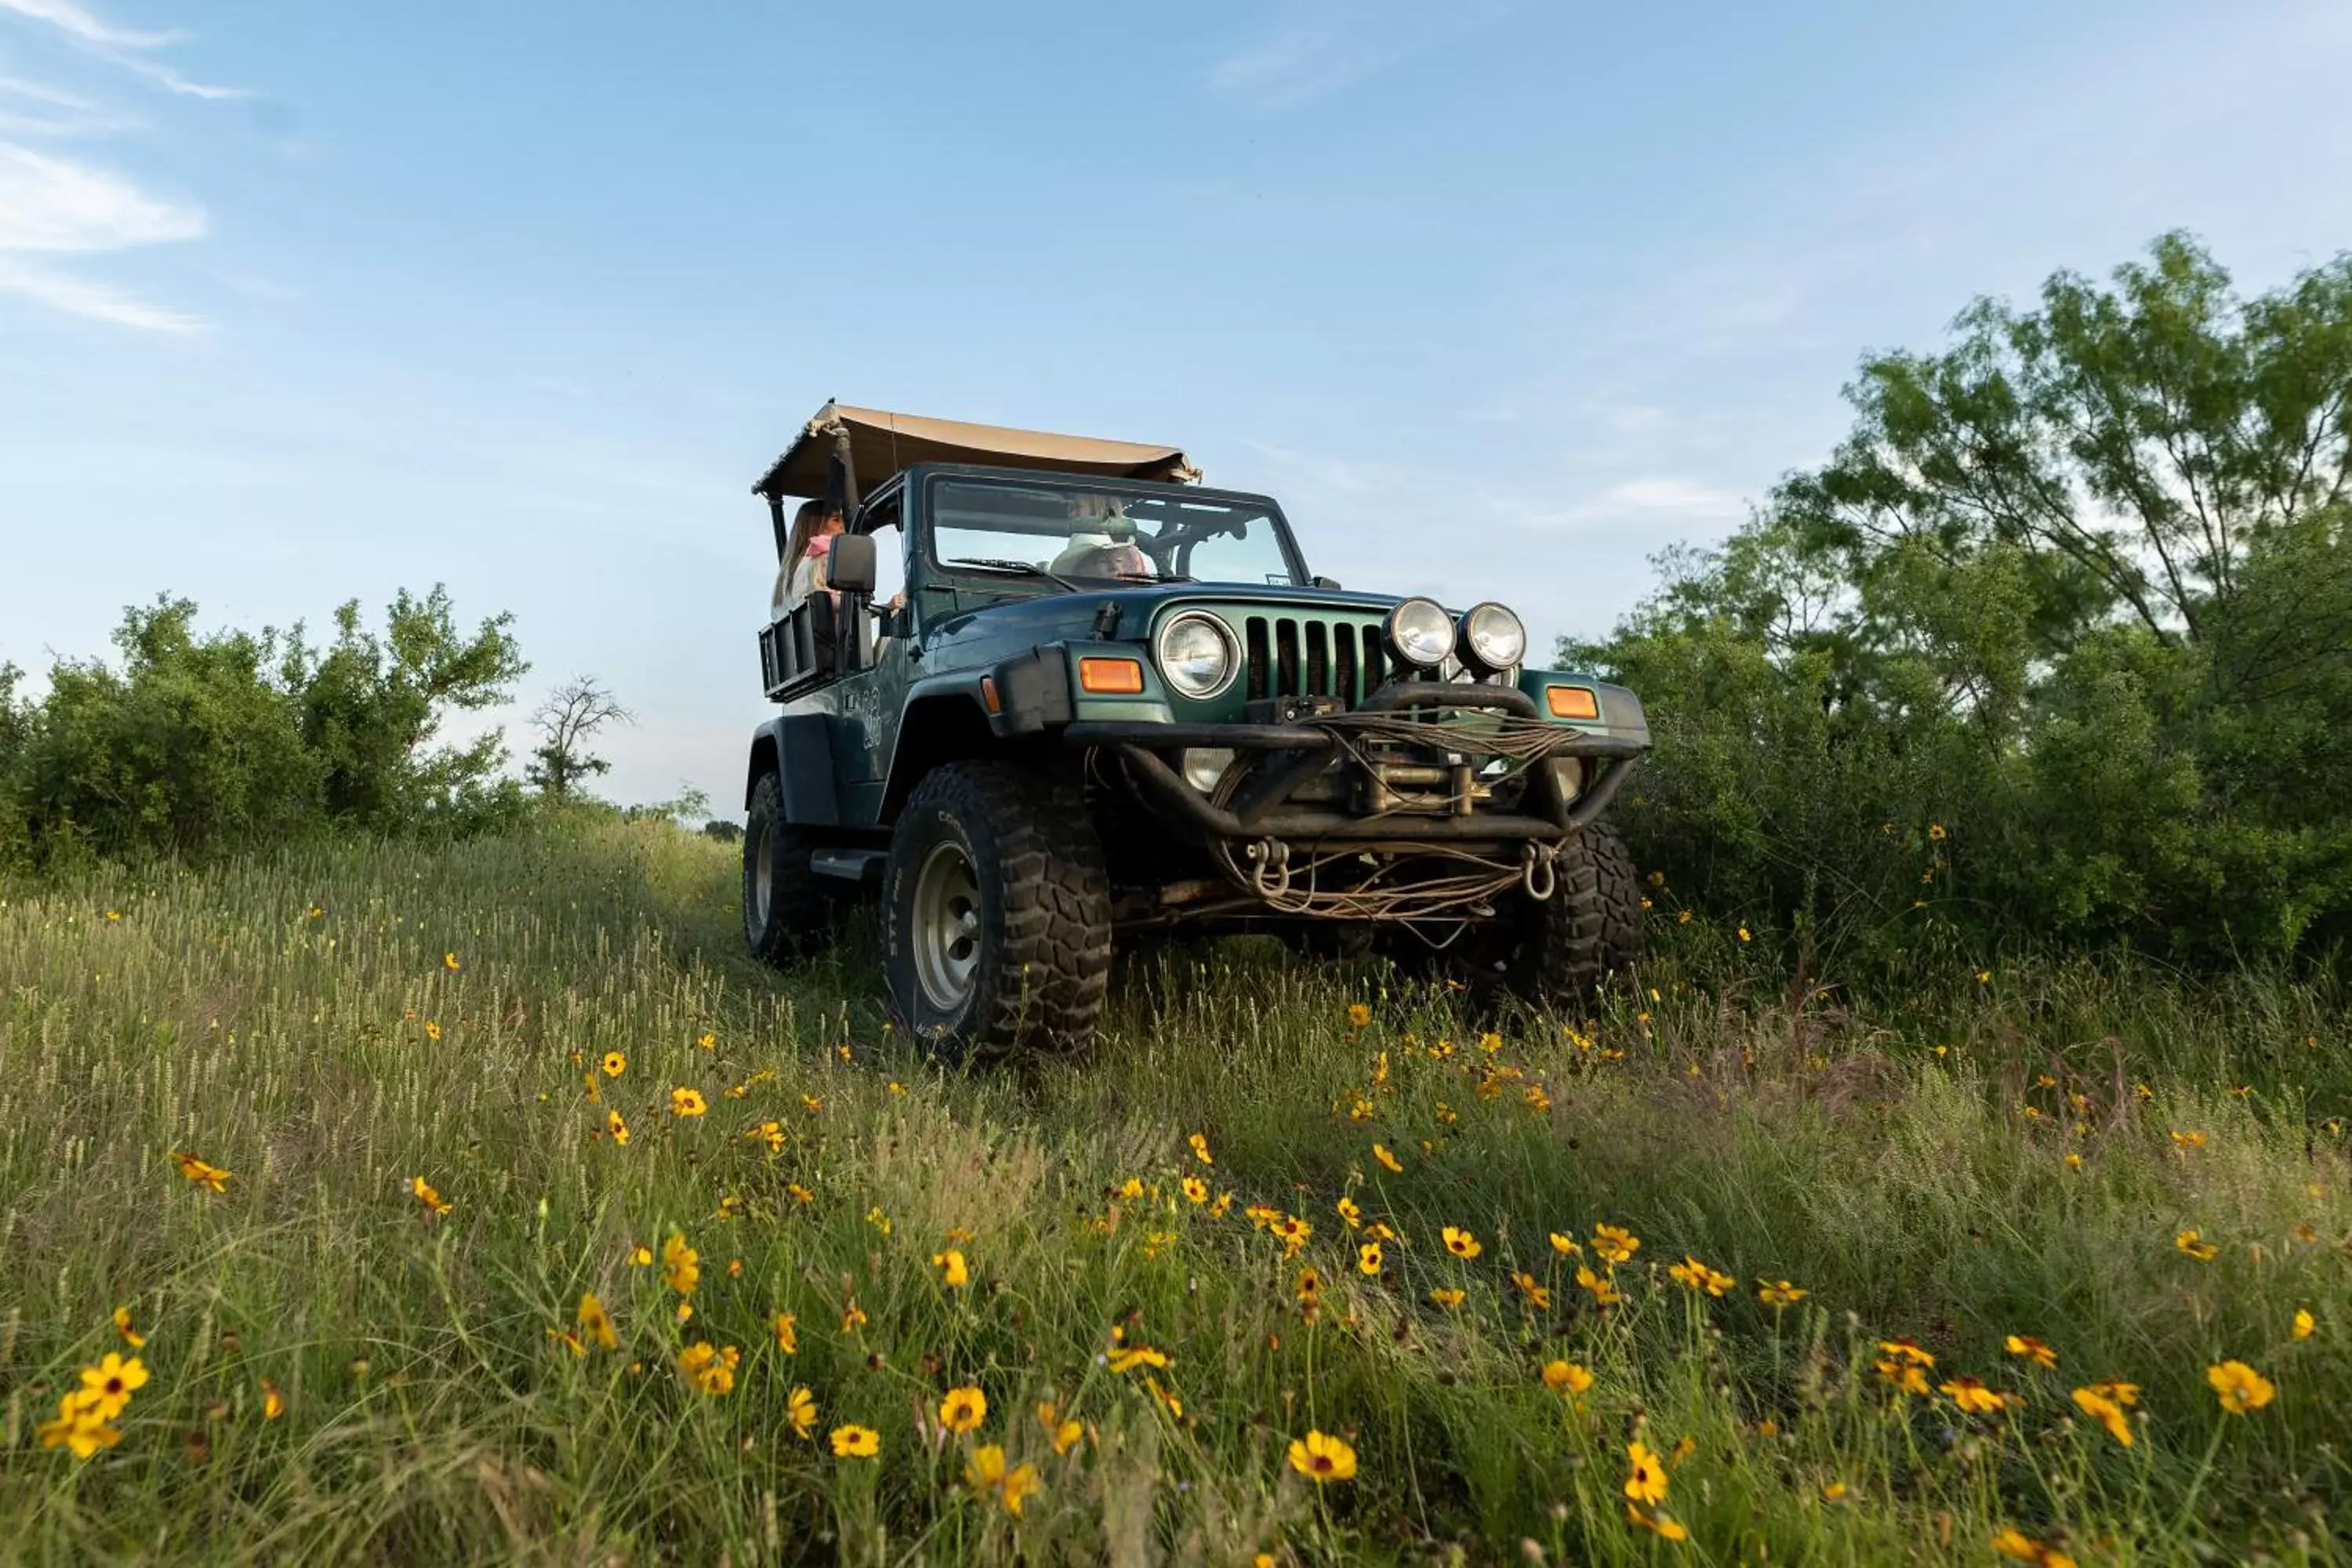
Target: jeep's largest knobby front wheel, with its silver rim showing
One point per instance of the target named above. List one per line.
(996, 916)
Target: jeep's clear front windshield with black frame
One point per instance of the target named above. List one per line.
(1090, 535)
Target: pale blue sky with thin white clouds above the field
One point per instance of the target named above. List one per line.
(1499, 297)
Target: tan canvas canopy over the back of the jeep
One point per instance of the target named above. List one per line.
(883, 443)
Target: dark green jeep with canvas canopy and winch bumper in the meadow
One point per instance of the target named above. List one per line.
(1060, 692)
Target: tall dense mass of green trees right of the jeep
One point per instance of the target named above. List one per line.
(2076, 594)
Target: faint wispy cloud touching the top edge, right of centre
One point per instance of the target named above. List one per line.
(1318, 48)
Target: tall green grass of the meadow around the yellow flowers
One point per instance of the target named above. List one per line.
(1873, 1153)
